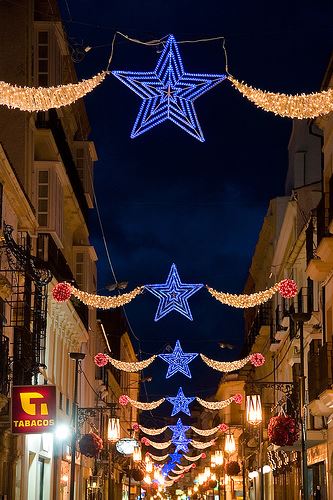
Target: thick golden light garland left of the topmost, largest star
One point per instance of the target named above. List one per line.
(44, 98)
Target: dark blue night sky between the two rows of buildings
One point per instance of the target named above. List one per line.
(165, 197)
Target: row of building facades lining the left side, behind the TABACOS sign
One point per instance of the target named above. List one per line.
(46, 192)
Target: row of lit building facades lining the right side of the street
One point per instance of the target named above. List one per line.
(294, 242)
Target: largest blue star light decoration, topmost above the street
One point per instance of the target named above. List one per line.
(168, 92)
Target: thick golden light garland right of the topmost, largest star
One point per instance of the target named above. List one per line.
(300, 106)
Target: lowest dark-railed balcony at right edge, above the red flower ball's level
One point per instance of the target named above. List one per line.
(320, 381)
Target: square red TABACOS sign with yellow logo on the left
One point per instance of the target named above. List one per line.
(33, 409)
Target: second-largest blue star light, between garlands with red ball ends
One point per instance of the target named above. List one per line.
(173, 295)
